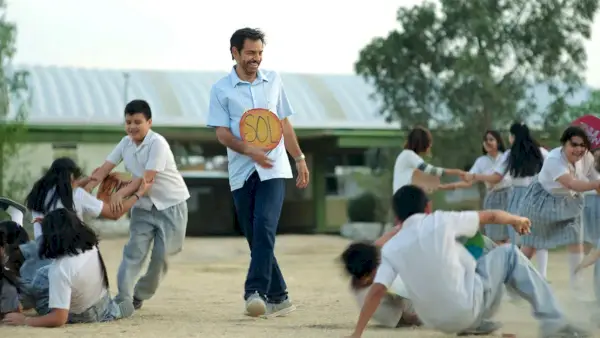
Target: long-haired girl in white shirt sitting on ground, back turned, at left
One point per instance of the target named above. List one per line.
(78, 282)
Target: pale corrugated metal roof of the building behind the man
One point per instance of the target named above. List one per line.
(66, 96)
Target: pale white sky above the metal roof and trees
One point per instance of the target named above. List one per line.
(309, 36)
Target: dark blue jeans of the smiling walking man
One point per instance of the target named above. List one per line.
(258, 206)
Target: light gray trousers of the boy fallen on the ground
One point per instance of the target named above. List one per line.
(506, 265)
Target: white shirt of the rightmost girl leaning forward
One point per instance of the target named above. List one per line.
(557, 165)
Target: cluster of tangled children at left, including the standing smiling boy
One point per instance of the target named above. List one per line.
(60, 273)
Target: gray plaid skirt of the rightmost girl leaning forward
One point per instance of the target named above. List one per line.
(555, 220)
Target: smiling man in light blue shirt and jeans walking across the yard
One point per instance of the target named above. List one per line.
(256, 176)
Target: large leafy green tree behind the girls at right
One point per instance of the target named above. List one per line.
(467, 66)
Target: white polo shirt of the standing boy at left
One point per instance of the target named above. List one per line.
(154, 153)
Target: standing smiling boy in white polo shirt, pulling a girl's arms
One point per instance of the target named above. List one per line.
(159, 217)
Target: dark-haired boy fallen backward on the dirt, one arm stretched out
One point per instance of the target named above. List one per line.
(450, 290)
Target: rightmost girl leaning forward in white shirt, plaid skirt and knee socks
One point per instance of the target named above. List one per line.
(554, 202)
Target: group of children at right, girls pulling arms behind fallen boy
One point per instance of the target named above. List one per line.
(534, 203)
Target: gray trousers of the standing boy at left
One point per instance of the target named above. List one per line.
(161, 230)
